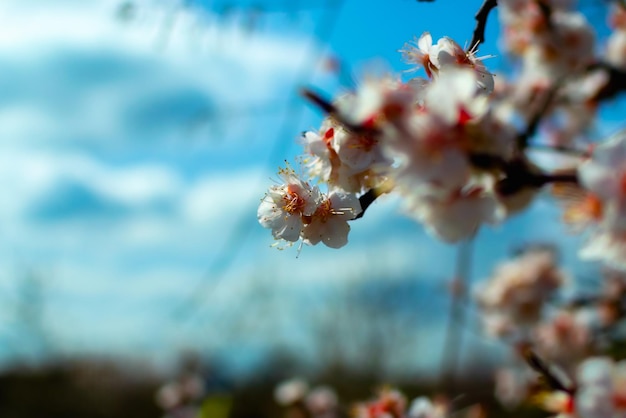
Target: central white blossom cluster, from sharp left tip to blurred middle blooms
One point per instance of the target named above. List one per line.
(422, 138)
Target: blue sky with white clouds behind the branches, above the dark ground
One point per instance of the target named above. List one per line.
(133, 155)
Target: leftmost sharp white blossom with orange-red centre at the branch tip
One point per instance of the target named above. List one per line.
(283, 207)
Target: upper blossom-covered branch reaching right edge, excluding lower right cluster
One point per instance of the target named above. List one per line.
(455, 144)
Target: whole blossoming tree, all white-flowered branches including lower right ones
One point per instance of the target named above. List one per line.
(456, 147)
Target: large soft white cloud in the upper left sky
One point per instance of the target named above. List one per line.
(81, 76)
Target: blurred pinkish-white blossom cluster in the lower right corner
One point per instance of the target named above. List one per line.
(566, 334)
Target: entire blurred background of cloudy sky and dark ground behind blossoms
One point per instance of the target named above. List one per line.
(136, 141)
